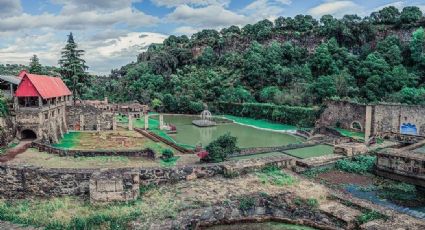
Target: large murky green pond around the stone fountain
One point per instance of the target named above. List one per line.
(191, 135)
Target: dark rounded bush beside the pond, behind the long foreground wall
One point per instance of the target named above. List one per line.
(219, 149)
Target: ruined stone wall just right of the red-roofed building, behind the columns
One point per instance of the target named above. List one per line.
(87, 117)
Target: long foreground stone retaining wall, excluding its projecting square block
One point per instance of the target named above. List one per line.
(19, 181)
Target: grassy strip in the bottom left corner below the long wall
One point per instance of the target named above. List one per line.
(73, 213)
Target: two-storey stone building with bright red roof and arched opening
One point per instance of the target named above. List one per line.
(39, 107)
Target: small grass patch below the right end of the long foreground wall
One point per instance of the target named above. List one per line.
(275, 176)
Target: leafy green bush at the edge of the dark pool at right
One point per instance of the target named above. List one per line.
(360, 164)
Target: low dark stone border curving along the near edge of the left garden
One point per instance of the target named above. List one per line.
(147, 153)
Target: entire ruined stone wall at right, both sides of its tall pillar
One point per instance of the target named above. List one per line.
(375, 119)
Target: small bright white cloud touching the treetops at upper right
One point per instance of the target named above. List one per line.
(337, 8)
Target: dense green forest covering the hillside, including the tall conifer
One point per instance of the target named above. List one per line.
(298, 61)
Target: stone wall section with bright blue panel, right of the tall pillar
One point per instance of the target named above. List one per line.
(390, 118)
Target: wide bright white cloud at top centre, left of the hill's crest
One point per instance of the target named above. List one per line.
(210, 16)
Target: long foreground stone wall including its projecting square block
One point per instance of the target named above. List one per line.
(18, 181)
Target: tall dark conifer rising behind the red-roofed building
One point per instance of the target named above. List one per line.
(73, 67)
